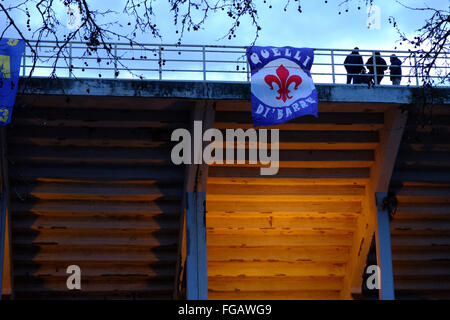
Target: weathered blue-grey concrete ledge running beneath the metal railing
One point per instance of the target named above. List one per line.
(224, 90)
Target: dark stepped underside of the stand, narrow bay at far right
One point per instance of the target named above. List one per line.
(420, 230)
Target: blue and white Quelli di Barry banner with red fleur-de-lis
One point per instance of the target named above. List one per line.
(281, 86)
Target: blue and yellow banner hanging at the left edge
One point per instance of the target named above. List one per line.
(11, 51)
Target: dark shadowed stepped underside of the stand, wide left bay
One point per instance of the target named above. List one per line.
(92, 185)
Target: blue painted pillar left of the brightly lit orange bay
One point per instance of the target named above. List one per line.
(196, 268)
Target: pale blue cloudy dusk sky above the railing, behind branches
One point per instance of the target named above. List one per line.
(319, 25)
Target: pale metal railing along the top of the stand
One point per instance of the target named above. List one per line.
(200, 63)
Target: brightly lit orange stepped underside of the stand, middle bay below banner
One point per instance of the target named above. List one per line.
(289, 236)
